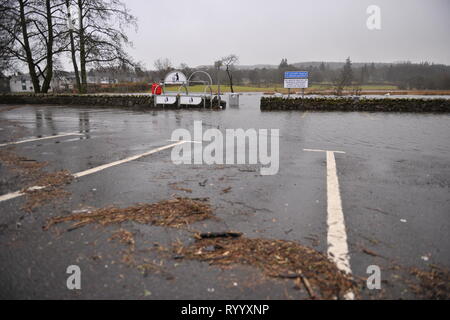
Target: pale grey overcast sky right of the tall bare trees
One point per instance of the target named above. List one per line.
(198, 32)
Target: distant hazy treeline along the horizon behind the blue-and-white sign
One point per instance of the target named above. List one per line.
(335, 75)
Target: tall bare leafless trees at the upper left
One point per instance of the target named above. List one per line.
(39, 33)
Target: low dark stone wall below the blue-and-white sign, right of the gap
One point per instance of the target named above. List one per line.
(356, 104)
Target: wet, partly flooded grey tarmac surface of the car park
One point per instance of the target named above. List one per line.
(394, 181)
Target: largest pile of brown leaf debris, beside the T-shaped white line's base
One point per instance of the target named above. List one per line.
(276, 258)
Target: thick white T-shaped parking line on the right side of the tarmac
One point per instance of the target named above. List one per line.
(336, 235)
